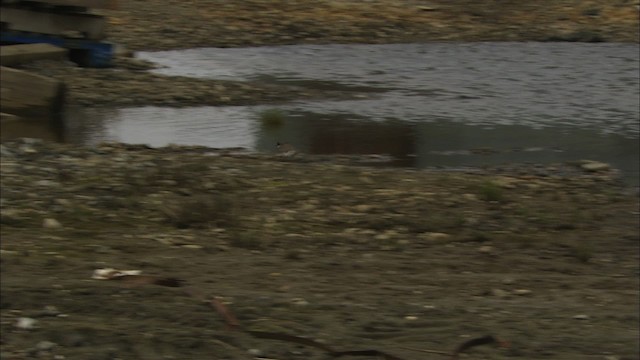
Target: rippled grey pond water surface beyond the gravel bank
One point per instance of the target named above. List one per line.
(429, 104)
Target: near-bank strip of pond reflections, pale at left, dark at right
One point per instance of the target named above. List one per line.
(423, 145)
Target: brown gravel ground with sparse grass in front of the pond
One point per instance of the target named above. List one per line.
(360, 258)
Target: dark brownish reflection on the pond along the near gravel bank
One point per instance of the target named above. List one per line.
(449, 144)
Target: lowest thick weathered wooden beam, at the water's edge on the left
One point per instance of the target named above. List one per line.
(30, 95)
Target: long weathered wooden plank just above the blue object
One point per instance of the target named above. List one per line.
(82, 25)
